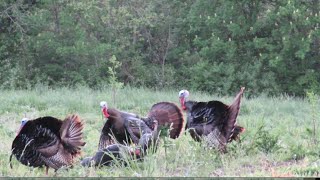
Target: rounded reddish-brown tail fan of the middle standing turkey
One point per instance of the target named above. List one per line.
(169, 115)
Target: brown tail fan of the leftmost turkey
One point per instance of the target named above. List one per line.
(71, 134)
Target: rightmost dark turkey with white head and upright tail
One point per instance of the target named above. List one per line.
(214, 120)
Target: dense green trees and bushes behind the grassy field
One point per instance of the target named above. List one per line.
(210, 45)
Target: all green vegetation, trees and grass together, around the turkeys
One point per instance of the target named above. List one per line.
(61, 57)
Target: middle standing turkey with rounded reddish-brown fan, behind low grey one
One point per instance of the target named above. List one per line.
(128, 127)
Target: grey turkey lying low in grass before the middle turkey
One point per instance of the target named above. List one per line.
(119, 152)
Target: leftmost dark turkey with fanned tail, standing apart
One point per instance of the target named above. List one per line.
(48, 141)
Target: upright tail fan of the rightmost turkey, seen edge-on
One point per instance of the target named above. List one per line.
(233, 111)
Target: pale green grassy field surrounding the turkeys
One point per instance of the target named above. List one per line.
(279, 138)
